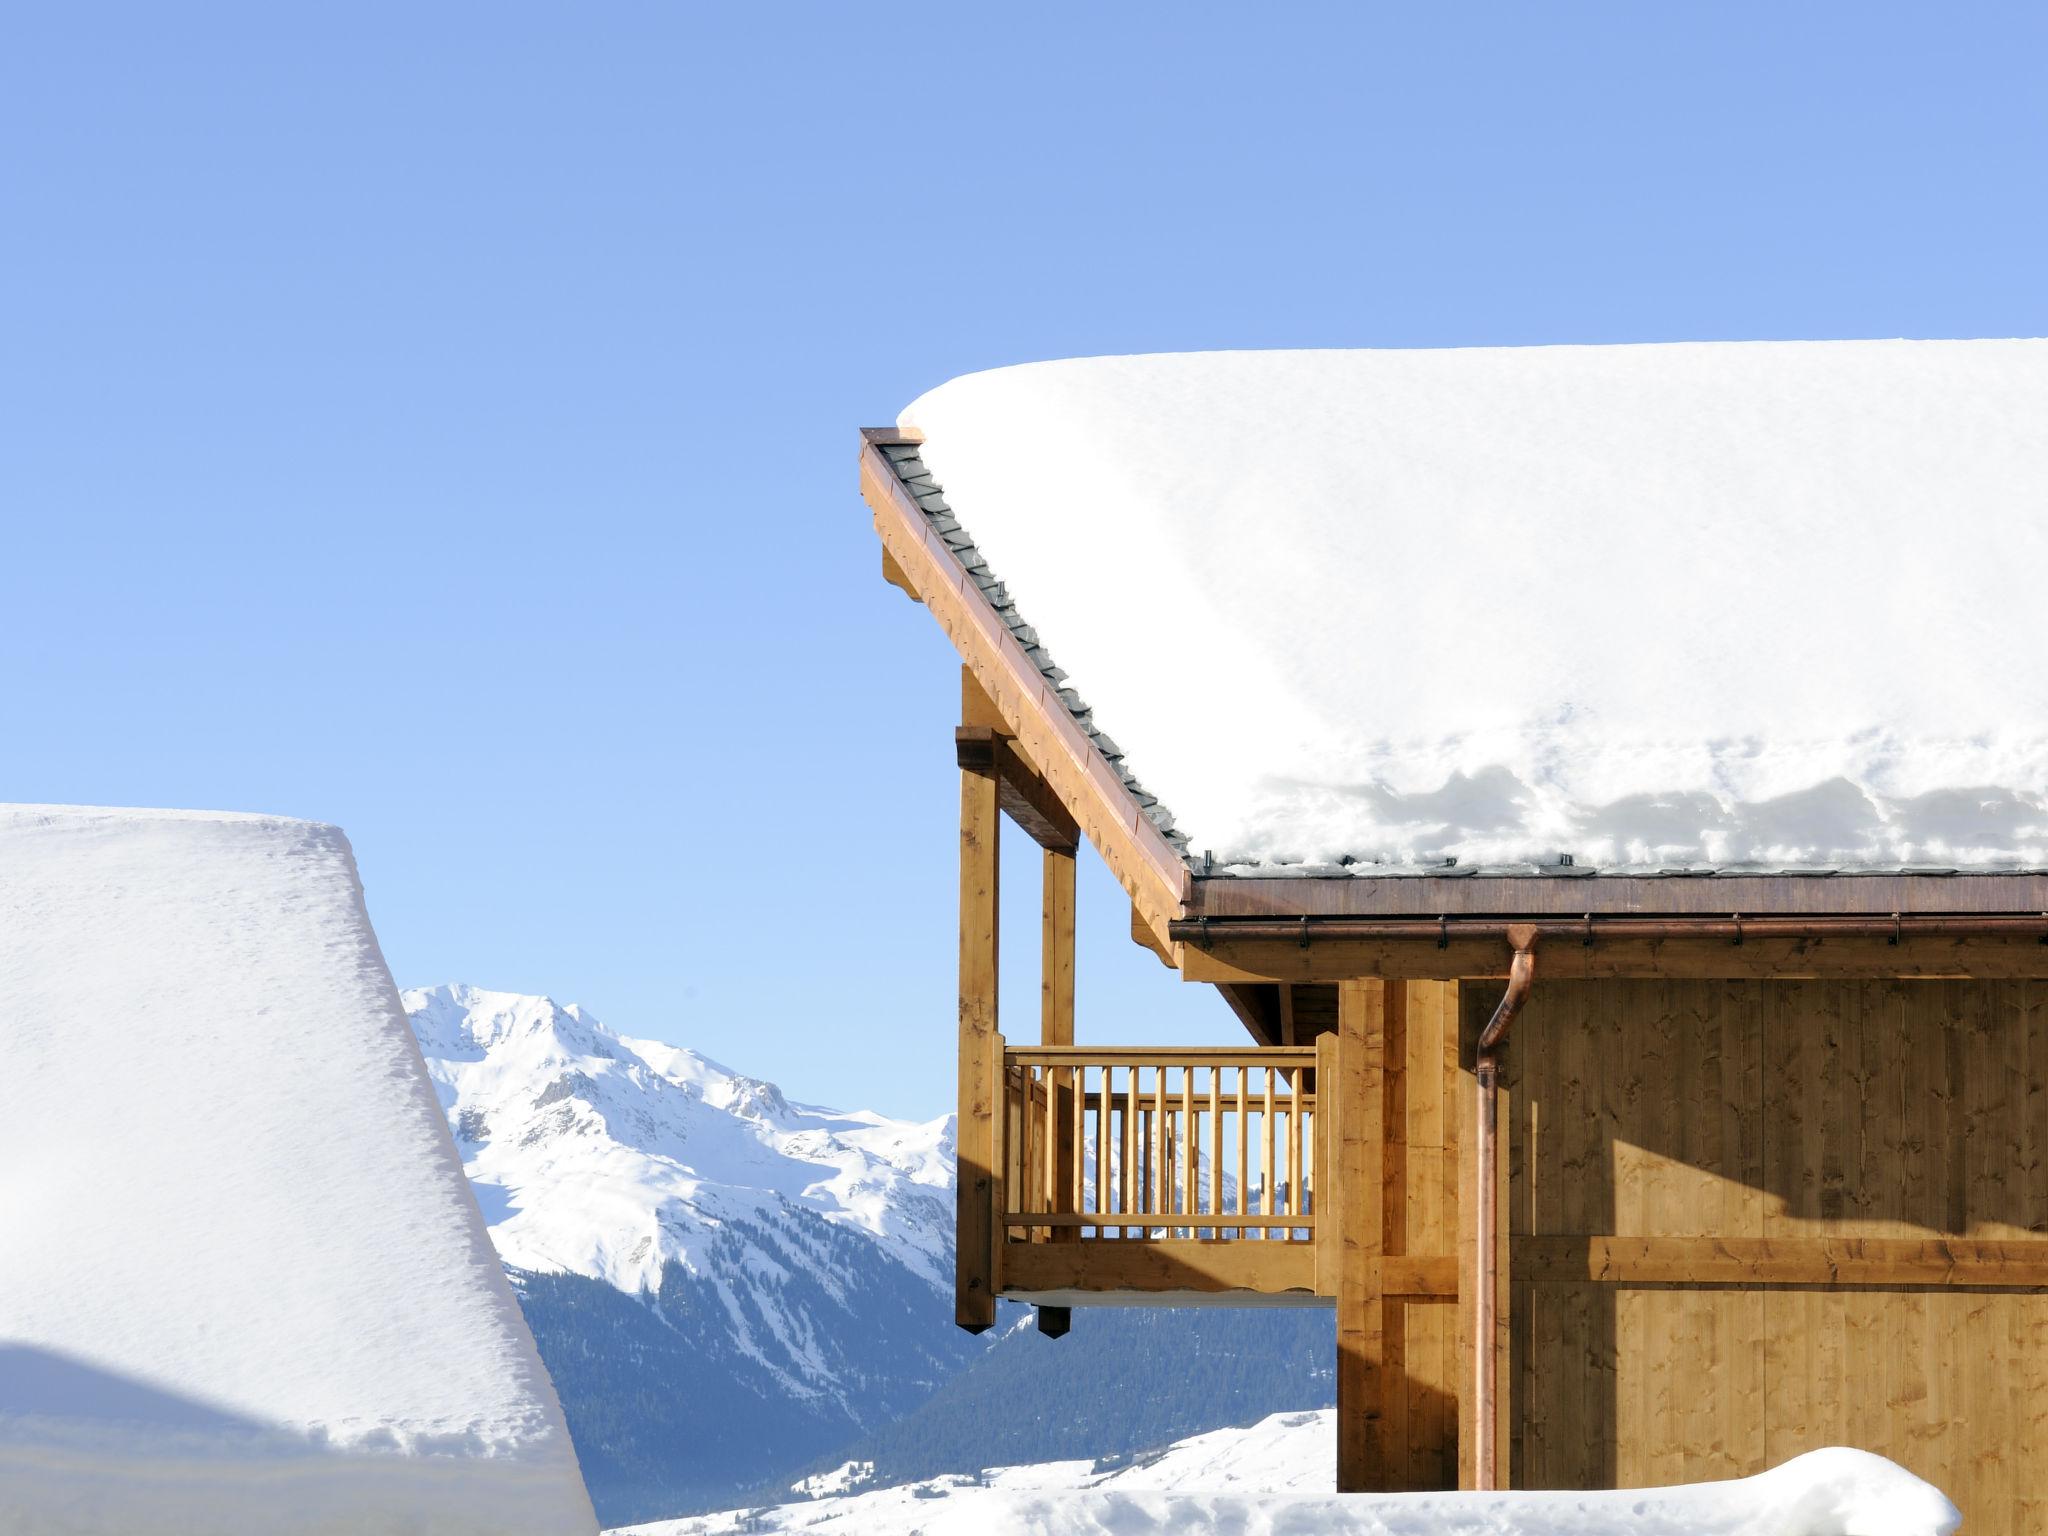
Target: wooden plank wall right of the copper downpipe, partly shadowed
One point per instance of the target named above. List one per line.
(1777, 1113)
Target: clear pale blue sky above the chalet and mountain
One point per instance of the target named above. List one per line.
(441, 419)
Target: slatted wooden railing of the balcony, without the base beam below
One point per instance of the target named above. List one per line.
(1101, 1144)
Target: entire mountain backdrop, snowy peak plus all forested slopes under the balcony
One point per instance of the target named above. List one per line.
(732, 1289)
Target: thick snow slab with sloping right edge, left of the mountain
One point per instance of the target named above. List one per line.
(243, 1281)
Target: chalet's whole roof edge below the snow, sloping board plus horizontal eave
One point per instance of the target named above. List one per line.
(1299, 929)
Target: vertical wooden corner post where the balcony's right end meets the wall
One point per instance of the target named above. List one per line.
(1359, 1140)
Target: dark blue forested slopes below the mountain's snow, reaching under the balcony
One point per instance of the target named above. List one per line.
(673, 1416)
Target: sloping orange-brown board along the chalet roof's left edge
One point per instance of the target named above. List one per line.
(1074, 773)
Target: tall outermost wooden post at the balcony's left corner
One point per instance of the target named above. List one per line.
(974, 1302)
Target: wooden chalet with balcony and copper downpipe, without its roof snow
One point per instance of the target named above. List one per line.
(1611, 1177)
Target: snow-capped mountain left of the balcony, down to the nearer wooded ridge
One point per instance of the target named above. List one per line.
(759, 1279)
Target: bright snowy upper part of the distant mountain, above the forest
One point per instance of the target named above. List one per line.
(607, 1156)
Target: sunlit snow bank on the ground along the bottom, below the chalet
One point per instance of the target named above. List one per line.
(1275, 1480)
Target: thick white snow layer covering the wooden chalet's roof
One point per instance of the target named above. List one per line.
(1641, 605)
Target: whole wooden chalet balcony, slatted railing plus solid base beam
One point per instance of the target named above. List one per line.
(1170, 1175)
